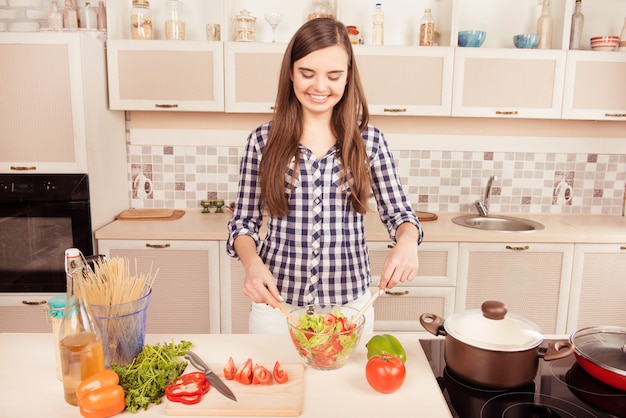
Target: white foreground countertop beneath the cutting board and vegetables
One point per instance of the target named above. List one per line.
(30, 389)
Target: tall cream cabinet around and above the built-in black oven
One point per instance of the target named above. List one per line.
(54, 115)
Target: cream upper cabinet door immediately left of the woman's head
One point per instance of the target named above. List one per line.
(251, 76)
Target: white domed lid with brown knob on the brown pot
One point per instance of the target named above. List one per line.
(492, 328)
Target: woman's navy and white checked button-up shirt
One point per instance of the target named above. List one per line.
(318, 252)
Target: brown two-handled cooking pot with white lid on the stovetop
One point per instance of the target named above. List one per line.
(492, 348)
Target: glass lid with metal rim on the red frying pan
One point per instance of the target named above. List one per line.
(604, 346)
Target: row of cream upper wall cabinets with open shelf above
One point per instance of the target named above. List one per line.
(400, 77)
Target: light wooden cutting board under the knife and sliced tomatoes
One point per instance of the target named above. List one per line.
(275, 400)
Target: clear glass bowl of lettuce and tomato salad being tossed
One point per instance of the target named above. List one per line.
(325, 339)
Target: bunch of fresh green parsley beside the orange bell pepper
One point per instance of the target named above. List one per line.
(144, 379)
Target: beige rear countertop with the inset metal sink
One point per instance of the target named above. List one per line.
(195, 225)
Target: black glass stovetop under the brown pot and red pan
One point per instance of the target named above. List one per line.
(561, 389)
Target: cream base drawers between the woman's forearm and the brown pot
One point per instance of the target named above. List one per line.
(432, 291)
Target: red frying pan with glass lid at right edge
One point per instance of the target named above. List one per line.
(601, 352)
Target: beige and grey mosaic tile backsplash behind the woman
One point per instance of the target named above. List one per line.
(439, 181)
